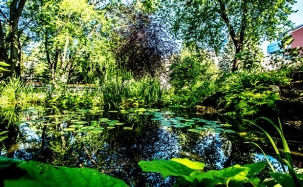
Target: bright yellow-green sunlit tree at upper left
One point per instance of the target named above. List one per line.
(72, 40)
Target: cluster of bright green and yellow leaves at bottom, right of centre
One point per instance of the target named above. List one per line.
(191, 173)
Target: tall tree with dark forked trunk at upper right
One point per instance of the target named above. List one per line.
(210, 23)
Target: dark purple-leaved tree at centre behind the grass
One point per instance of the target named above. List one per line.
(144, 44)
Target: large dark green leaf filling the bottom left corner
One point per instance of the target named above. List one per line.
(22, 173)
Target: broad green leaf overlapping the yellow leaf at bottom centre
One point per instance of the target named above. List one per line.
(167, 168)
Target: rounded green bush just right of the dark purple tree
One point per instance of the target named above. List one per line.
(192, 76)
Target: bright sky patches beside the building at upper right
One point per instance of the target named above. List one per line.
(297, 18)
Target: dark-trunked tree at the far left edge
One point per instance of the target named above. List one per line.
(10, 14)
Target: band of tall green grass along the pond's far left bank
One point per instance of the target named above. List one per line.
(119, 91)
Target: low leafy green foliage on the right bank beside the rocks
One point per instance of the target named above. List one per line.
(245, 92)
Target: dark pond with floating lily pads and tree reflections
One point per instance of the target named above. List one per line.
(115, 141)
